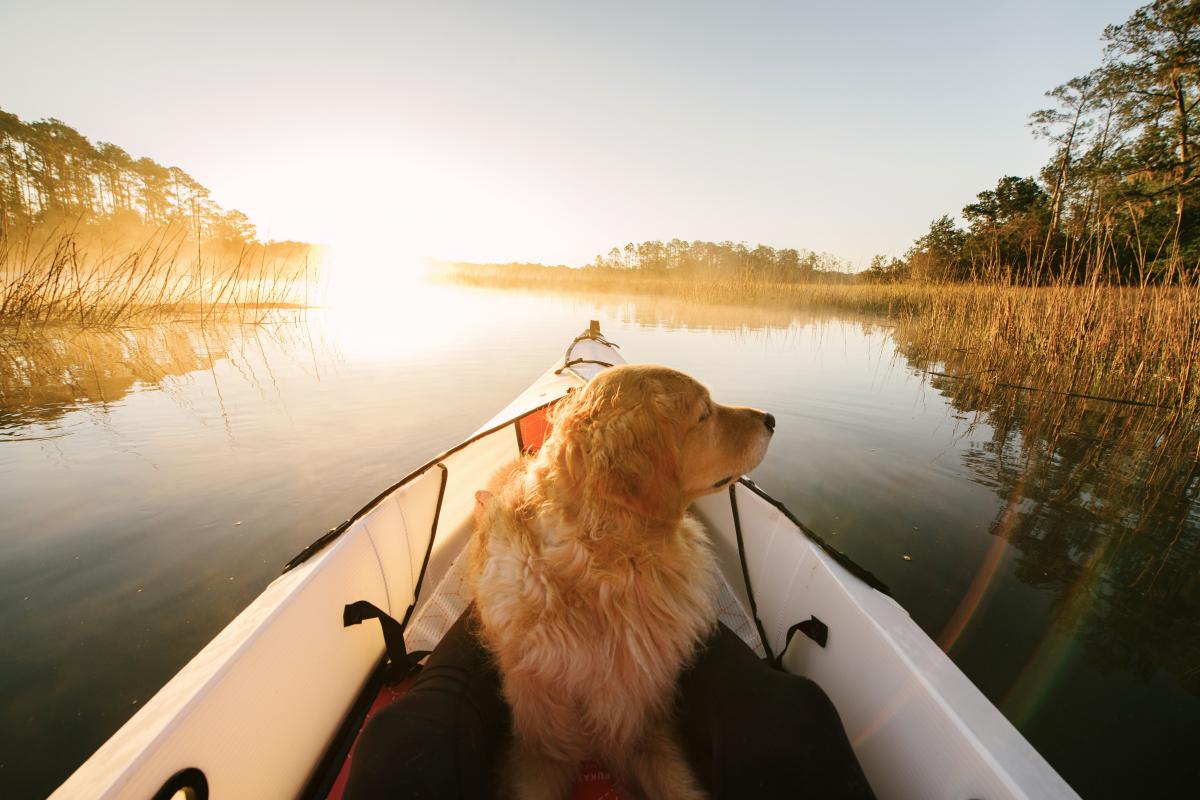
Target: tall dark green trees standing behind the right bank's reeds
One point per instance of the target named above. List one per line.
(1119, 200)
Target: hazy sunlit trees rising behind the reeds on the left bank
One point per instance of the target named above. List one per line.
(52, 175)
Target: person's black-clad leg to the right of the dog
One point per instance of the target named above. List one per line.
(755, 732)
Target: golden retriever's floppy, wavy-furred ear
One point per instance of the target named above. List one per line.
(622, 448)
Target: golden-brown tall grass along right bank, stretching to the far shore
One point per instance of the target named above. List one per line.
(1133, 345)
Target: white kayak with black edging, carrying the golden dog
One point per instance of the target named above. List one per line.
(272, 706)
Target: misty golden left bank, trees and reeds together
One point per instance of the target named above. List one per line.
(92, 236)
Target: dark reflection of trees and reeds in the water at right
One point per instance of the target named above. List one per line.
(1100, 506)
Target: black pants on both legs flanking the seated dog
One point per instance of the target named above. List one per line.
(749, 731)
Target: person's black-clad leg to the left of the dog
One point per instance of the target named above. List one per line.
(442, 738)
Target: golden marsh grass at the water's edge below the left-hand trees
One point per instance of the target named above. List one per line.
(63, 279)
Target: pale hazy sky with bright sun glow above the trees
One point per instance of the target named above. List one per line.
(553, 131)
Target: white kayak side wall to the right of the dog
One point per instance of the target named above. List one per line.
(920, 727)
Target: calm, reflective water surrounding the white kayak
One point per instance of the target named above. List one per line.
(154, 482)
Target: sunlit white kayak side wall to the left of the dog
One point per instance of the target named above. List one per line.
(257, 708)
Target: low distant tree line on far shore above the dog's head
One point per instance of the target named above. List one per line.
(724, 260)
